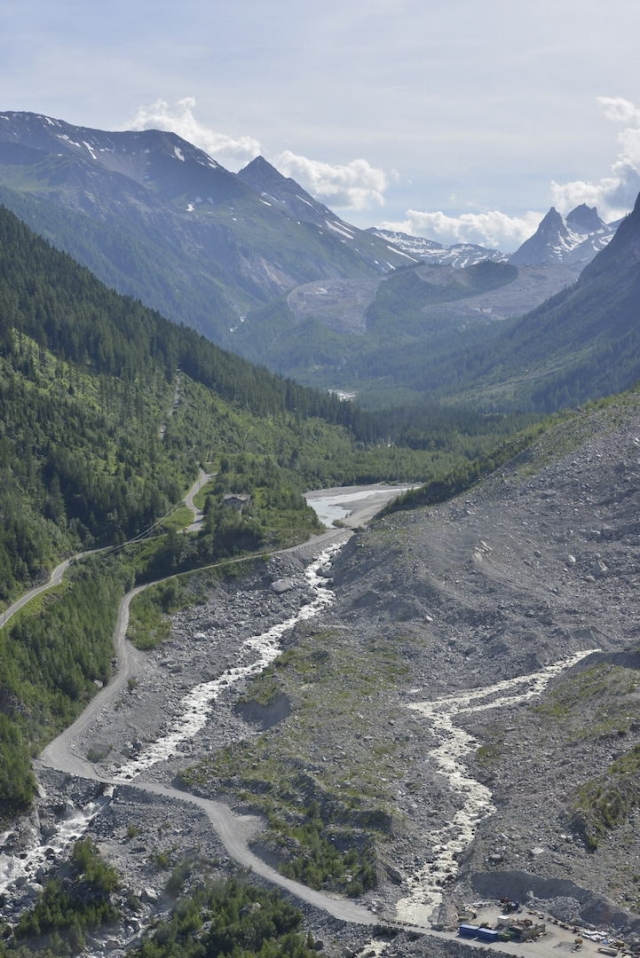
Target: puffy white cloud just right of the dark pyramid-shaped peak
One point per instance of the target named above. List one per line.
(356, 185)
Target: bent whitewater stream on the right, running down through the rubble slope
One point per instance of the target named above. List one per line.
(426, 885)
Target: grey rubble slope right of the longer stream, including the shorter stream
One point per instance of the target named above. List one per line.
(517, 604)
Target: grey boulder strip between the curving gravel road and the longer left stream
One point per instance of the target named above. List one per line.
(206, 642)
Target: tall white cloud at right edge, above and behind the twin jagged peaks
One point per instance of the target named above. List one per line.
(614, 195)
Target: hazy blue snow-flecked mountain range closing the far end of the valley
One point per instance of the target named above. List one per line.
(259, 266)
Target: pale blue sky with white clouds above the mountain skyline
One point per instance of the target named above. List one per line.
(458, 120)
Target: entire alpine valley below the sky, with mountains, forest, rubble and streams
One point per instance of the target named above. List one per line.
(232, 724)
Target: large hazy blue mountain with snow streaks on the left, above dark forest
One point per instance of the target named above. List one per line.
(159, 219)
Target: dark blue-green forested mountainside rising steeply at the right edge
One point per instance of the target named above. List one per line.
(582, 343)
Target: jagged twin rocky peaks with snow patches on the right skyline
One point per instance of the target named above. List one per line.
(575, 239)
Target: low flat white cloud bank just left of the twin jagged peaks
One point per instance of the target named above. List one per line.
(493, 229)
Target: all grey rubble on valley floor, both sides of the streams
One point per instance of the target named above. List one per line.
(458, 721)
